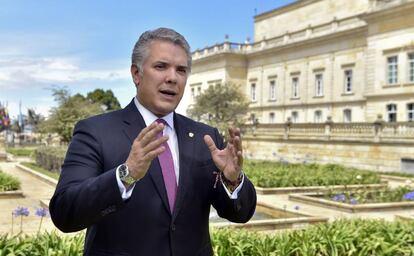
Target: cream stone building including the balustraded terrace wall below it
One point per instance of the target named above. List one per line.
(330, 81)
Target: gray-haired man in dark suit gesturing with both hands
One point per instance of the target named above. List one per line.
(142, 179)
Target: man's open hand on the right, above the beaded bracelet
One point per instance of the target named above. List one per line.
(230, 159)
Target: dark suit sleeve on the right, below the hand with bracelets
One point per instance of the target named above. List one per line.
(238, 210)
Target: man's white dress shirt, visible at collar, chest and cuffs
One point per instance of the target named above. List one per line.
(169, 130)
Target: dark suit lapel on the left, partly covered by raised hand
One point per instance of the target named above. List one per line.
(134, 123)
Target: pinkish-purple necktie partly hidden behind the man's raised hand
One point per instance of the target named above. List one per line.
(168, 173)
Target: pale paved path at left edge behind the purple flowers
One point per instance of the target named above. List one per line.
(34, 191)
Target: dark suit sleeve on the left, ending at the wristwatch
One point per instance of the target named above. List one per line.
(85, 193)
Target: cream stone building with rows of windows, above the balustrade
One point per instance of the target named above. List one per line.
(350, 60)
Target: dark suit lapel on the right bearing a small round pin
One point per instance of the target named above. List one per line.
(186, 149)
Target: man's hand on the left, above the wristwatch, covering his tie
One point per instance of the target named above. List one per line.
(145, 148)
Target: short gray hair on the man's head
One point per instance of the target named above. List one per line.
(140, 51)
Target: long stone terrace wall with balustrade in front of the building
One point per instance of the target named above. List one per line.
(376, 146)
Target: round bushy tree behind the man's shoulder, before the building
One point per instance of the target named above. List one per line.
(221, 106)
